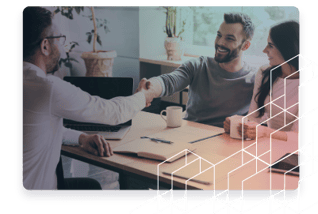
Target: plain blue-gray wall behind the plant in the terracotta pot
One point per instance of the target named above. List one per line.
(123, 23)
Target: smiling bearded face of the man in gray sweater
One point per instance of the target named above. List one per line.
(229, 42)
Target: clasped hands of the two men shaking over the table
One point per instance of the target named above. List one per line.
(151, 89)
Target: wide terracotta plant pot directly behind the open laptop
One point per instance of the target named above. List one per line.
(99, 64)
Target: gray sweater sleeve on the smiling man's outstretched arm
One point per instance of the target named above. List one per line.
(178, 79)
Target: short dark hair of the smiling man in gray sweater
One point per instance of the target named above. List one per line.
(245, 20)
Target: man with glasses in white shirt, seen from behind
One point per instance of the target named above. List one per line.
(48, 99)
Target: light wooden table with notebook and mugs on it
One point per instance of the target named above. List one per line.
(212, 150)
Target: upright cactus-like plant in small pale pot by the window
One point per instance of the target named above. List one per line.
(173, 42)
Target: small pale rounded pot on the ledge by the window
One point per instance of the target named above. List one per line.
(174, 48)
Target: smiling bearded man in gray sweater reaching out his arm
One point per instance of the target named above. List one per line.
(219, 87)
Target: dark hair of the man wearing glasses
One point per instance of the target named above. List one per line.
(35, 21)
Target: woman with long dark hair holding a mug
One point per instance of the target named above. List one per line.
(283, 44)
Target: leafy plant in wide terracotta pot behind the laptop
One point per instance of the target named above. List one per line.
(97, 62)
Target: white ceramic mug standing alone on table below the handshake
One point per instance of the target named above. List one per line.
(174, 116)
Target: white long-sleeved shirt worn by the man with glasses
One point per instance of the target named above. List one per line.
(46, 101)
